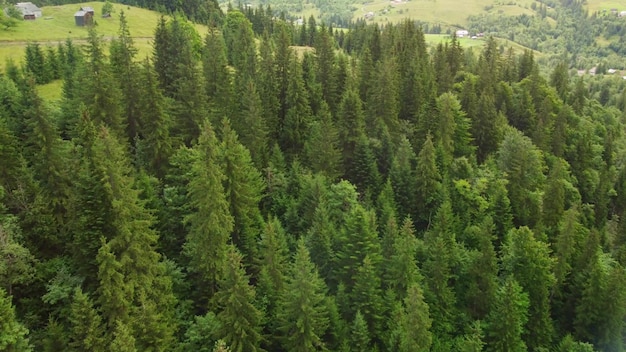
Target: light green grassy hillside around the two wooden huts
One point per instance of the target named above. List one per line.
(58, 24)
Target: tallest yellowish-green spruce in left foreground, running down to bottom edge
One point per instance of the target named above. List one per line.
(134, 285)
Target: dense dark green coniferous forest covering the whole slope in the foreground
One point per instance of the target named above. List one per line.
(361, 191)
